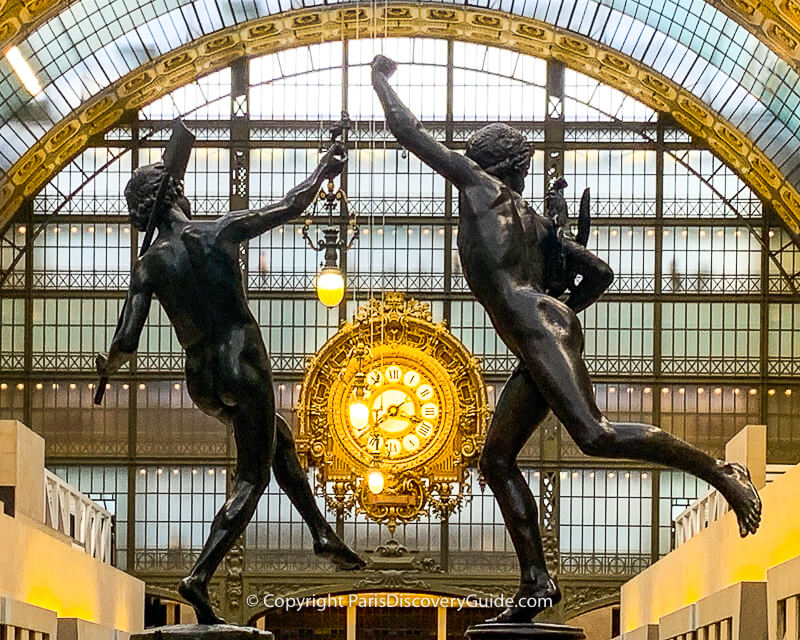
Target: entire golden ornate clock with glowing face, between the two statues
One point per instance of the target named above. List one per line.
(392, 411)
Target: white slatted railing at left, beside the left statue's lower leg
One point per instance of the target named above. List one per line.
(72, 513)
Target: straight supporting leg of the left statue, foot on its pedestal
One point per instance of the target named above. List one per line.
(255, 444)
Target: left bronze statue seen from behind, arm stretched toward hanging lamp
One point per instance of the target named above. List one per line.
(193, 269)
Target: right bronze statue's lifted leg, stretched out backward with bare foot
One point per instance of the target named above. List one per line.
(551, 342)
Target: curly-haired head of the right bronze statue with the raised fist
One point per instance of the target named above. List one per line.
(502, 152)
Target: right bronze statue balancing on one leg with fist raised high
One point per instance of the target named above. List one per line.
(513, 259)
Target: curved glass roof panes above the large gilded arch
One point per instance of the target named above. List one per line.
(92, 43)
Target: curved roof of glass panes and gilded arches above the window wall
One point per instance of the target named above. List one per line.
(97, 58)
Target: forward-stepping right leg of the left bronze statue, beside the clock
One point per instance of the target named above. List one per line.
(294, 482)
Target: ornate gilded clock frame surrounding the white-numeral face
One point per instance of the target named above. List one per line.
(392, 330)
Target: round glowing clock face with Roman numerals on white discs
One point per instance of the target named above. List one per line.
(399, 414)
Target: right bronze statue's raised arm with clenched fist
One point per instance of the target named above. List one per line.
(458, 169)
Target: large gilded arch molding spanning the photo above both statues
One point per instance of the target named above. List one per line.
(324, 24)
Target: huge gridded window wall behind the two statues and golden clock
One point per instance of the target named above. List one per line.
(698, 333)
